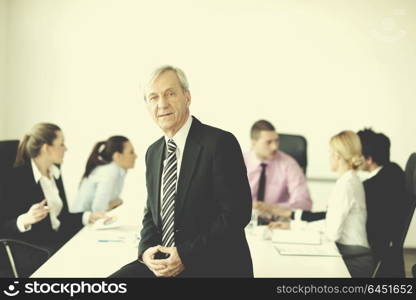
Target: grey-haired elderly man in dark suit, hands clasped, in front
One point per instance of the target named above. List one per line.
(199, 198)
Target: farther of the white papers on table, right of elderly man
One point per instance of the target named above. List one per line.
(294, 236)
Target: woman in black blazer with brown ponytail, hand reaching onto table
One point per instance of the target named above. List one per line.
(35, 208)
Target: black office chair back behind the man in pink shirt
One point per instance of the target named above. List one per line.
(295, 146)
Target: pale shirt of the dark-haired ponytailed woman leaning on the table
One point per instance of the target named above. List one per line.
(103, 185)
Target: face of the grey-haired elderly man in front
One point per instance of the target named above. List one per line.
(168, 103)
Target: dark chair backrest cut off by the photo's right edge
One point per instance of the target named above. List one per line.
(410, 174)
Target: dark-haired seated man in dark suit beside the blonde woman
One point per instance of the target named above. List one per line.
(385, 192)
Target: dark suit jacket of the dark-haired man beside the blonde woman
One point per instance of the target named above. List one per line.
(386, 210)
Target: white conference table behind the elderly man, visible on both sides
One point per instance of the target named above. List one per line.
(99, 253)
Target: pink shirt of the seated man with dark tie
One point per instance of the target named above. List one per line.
(285, 181)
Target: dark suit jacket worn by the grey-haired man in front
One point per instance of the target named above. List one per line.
(212, 206)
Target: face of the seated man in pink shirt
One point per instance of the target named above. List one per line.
(267, 144)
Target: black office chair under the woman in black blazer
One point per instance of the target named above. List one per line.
(15, 252)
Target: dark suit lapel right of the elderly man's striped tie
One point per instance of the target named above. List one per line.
(189, 163)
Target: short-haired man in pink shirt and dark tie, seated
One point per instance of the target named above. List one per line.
(275, 178)
